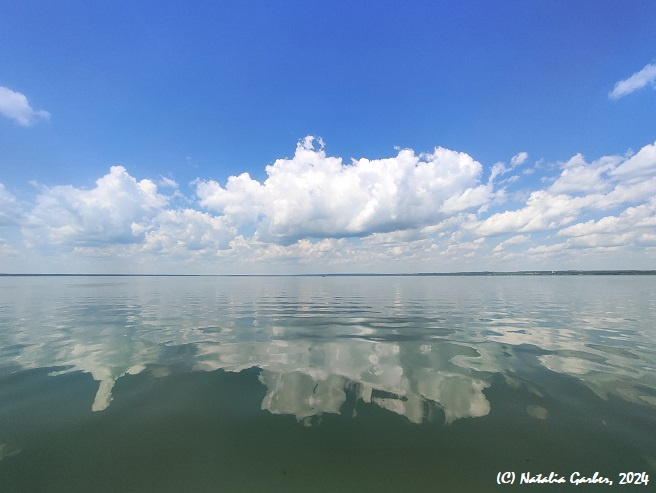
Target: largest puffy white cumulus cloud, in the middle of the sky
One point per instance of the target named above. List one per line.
(315, 195)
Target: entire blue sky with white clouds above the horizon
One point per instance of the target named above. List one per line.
(294, 137)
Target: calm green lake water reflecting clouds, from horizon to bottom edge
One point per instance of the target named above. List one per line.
(239, 384)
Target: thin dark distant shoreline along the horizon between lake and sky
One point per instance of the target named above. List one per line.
(625, 272)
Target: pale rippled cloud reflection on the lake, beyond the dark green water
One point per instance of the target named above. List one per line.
(408, 345)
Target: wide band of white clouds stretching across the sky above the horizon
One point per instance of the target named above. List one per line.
(437, 211)
